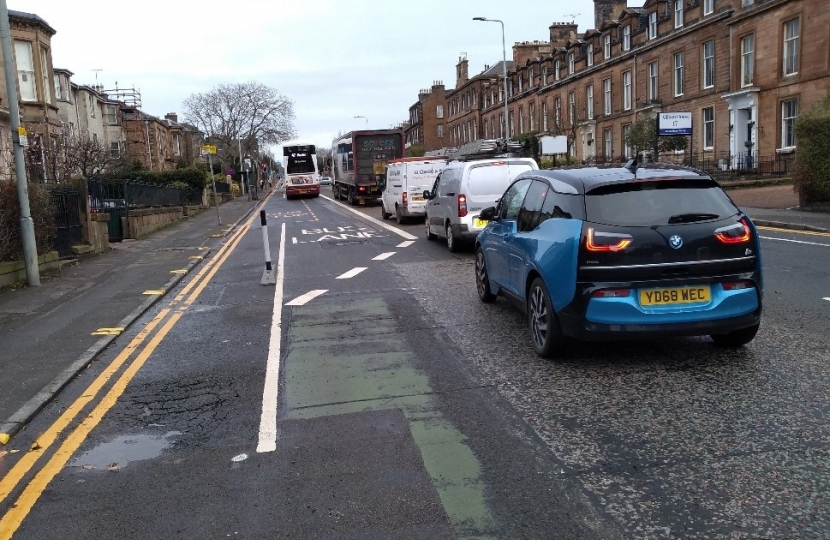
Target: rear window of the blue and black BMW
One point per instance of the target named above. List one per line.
(658, 202)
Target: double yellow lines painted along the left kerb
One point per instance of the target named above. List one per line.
(12, 519)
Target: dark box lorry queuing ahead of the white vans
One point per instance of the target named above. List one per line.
(359, 162)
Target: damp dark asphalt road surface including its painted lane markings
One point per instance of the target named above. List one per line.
(382, 400)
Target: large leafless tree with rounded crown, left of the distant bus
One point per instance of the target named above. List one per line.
(255, 114)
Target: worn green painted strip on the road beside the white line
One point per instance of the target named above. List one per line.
(328, 373)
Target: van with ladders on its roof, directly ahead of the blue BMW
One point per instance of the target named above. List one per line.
(463, 190)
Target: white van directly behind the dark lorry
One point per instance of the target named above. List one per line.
(406, 181)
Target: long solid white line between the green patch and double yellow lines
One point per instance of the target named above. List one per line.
(268, 420)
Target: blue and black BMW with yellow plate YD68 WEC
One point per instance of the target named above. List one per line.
(617, 253)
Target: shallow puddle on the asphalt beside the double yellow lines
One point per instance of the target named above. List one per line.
(122, 450)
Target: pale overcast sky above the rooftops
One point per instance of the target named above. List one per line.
(335, 59)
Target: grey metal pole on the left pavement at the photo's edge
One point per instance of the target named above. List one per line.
(27, 225)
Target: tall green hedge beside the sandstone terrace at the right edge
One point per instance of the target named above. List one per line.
(812, 160)
